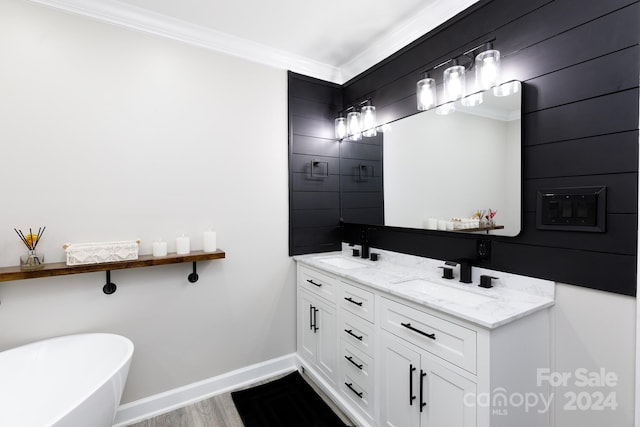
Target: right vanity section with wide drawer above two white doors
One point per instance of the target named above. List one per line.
(418, 388)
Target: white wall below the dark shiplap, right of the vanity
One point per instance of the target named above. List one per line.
(593, 331)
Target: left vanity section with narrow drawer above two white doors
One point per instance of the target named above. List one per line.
(317, 321)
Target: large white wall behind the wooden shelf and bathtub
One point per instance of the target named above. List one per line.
(108, 134)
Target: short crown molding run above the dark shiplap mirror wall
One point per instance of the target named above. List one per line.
(404, 34)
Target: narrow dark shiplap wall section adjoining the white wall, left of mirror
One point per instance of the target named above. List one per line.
(314, 201)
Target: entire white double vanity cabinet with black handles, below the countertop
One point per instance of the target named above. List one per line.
(391, 360)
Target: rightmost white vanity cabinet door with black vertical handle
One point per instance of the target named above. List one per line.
(444, 393)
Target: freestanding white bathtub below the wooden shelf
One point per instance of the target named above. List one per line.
(70, 381)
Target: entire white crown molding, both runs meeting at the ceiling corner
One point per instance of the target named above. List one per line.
(133, 17)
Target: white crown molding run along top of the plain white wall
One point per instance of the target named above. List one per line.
(133, 17)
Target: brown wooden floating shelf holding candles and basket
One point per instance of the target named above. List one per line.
(62, 269)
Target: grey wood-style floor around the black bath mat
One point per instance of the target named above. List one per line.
(218, 411)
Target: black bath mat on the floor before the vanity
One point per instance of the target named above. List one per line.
(286, 402)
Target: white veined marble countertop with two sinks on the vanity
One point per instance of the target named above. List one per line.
(420, 280)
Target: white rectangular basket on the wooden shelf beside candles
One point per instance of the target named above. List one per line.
(96, 253)
